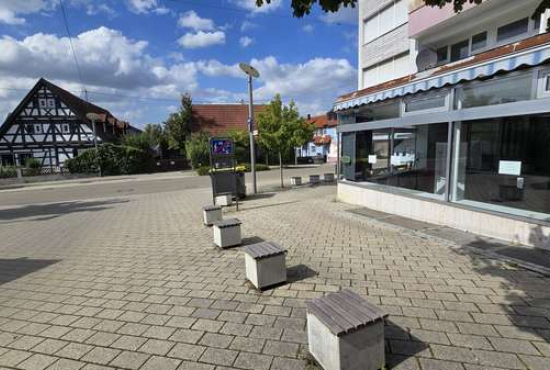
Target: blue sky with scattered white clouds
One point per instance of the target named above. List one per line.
(137, 57)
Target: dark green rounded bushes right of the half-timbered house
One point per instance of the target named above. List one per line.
(112, 159)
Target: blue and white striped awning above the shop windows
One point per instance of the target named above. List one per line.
(426, 80)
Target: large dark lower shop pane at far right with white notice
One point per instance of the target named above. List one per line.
(502, 165)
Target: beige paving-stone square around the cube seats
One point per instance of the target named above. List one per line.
(136, 283)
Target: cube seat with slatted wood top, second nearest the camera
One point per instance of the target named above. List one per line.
(265, 264)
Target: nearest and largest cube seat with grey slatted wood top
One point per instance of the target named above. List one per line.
(346, 332)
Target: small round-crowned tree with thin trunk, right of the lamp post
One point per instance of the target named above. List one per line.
(281, 128)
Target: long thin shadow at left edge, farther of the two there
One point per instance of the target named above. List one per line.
(43, 212)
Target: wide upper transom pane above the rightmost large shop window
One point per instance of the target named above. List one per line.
(500, 91)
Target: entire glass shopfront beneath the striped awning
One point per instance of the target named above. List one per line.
(500, 164)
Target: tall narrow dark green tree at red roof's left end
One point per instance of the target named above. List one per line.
(180, 124)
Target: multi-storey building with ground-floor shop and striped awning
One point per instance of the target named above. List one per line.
(451, 120)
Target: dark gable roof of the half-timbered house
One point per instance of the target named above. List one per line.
(77, 105)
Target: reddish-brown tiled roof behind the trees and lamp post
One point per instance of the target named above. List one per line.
(222, 118)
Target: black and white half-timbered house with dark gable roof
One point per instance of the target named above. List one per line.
(50, 125)
